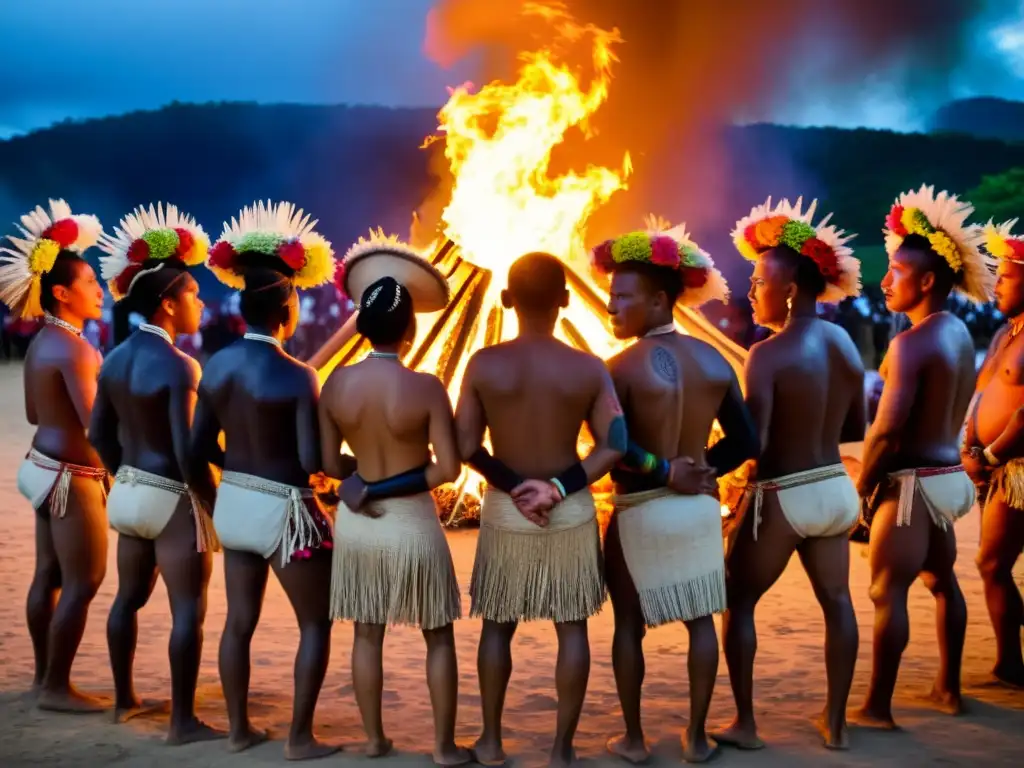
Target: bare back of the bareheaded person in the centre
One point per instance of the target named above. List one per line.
(536, 395)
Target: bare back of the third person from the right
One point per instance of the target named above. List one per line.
(804, 386)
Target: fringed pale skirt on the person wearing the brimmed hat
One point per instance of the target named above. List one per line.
(397, 569)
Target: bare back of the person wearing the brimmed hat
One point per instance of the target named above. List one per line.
(383, 411)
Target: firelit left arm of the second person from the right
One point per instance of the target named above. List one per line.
(894, 408)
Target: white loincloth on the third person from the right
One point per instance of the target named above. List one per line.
(818, 503)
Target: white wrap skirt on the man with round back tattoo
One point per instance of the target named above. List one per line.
(673, 548)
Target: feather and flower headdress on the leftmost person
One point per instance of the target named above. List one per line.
(45, 235)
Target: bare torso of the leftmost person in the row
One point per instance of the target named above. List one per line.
(61, 373)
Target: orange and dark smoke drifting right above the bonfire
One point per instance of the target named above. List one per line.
(689, 67)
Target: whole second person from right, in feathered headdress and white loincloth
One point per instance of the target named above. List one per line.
(912, 479)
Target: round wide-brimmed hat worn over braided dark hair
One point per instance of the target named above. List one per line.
(380, 255)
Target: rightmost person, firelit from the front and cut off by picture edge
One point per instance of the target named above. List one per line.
(994, 456)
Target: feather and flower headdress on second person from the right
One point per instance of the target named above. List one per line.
(942, 220)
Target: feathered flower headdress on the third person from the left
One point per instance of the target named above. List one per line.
(279, 231)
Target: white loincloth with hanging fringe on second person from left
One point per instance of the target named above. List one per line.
(141, 504)
